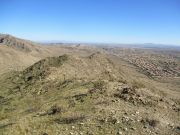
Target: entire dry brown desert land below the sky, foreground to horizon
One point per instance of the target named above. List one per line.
(79, 89)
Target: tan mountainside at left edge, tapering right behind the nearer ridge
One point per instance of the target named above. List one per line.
(17, 54)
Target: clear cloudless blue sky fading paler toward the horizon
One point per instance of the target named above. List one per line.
(101, 21)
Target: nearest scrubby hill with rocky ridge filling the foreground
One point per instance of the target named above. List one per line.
(95, 94)
